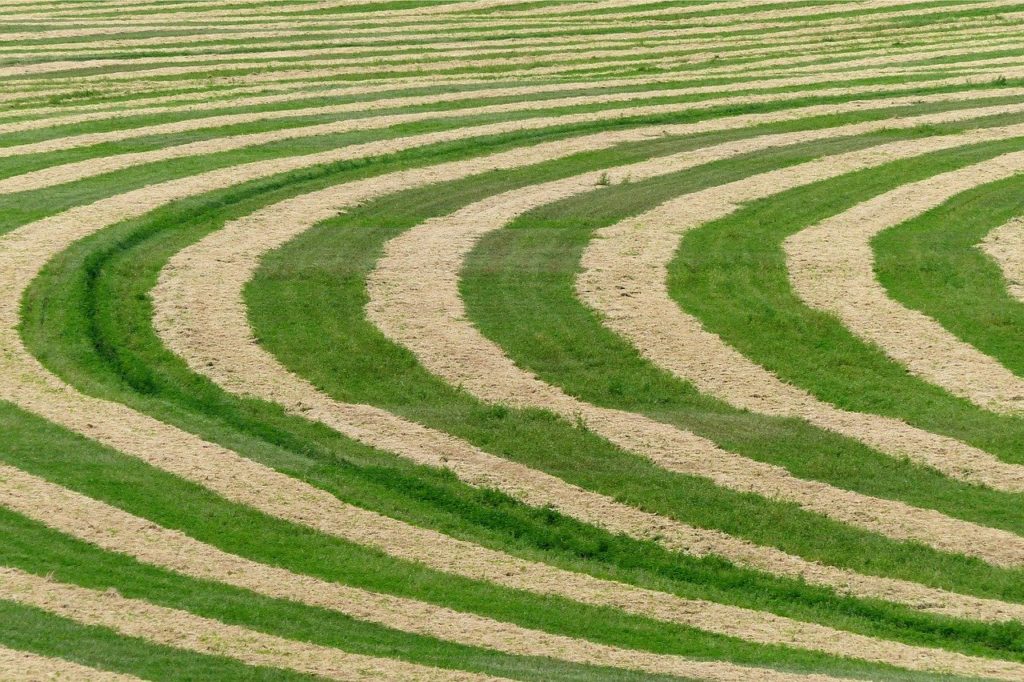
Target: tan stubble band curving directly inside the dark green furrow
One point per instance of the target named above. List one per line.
(216, 340)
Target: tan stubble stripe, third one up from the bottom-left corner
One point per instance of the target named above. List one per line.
(118, 532)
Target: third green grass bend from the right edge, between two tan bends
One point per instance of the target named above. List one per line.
(520, 290)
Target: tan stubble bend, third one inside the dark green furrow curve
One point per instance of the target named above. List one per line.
(633, 258)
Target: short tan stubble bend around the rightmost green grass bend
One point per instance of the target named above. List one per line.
(832, 269)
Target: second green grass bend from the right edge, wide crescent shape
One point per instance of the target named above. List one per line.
(747, 300)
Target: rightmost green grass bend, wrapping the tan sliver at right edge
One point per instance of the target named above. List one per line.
(932, 265)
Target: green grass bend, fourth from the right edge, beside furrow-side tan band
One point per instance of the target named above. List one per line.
(349, 368)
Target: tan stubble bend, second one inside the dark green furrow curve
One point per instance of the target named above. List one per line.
(414, 300)
